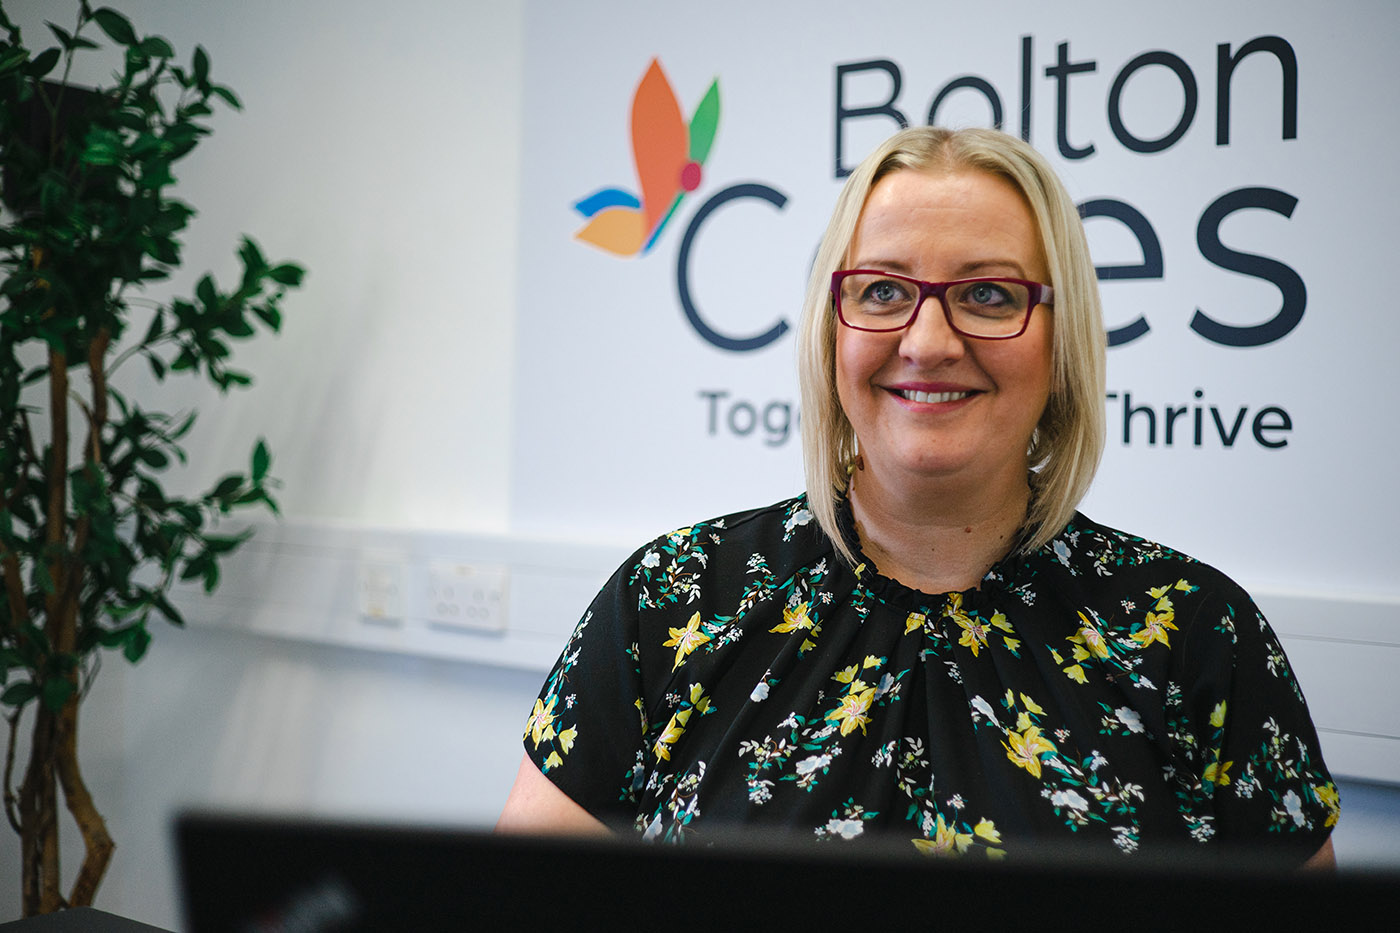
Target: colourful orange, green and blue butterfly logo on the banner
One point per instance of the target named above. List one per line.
(668, 155)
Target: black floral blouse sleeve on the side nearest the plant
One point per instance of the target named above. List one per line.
(586, 731)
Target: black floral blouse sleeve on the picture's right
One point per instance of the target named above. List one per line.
(1259, 775)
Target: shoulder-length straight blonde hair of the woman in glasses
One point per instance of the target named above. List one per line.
(1069, 441)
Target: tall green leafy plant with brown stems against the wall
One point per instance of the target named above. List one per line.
(90, 541)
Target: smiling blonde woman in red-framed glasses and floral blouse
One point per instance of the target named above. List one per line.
(933, 642)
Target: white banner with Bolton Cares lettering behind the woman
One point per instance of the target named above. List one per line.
(1234, 163)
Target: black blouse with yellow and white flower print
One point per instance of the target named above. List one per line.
(1102, 689)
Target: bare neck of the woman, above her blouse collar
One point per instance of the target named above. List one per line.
(937, 537)
